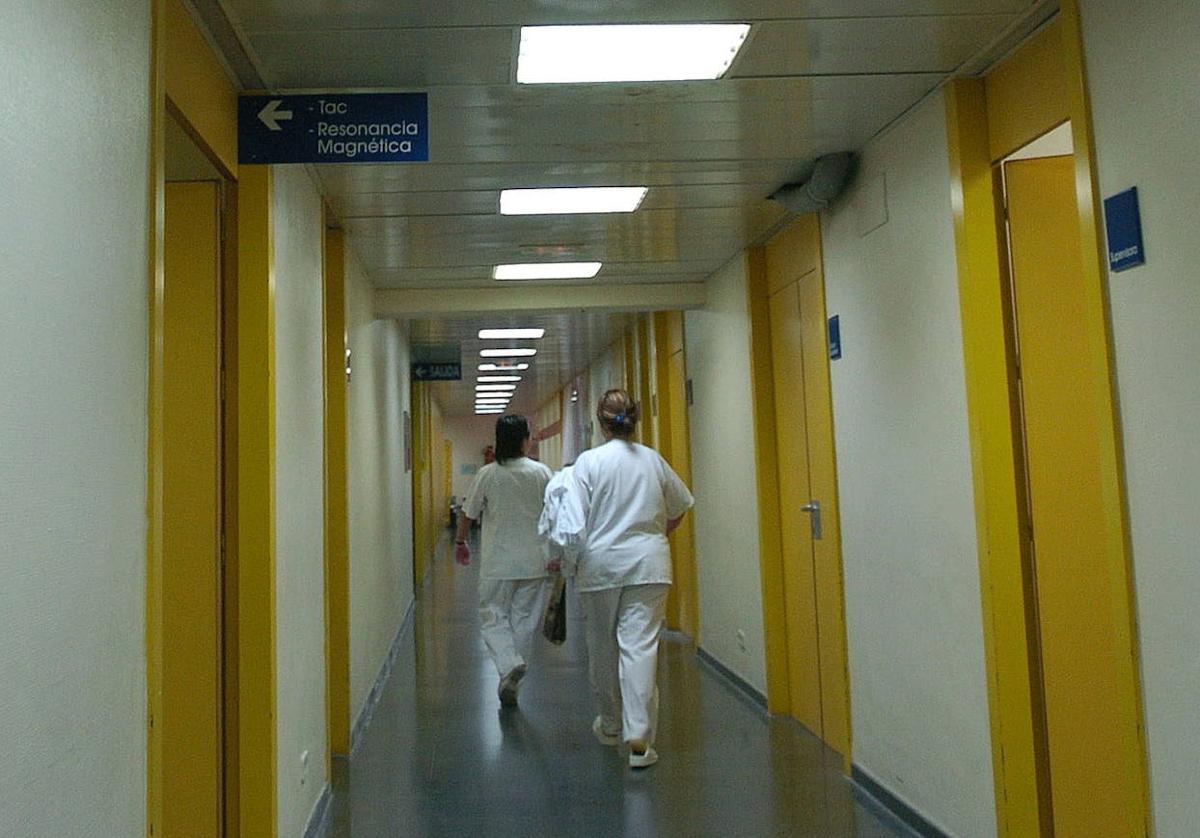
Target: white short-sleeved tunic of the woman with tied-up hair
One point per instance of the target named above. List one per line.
(627, 494)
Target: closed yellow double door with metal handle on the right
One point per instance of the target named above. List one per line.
(808, 487)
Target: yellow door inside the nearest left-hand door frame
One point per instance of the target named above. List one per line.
(191, 576)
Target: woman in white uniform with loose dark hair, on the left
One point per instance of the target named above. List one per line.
(513, 578)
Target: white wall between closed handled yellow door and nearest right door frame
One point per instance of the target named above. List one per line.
(917, 667)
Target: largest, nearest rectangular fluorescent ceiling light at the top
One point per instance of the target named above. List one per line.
(628, 52)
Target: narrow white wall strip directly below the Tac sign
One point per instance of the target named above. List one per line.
(299, 486)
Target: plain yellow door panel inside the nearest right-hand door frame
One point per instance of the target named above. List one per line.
(1093, 722)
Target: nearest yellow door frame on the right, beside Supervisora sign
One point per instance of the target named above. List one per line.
(1042, 86)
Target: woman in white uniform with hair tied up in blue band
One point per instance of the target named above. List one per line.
(631, 500)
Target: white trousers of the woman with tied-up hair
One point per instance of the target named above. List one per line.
(623, 628)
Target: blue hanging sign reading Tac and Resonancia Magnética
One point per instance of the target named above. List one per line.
(334, 129)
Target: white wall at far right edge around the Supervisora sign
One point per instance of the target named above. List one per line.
(1143, 70)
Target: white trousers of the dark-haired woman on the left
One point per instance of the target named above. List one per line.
(511, 613)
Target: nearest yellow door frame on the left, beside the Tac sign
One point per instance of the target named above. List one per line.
(189, 80)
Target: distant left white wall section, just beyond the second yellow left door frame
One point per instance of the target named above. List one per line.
(380, 489)
